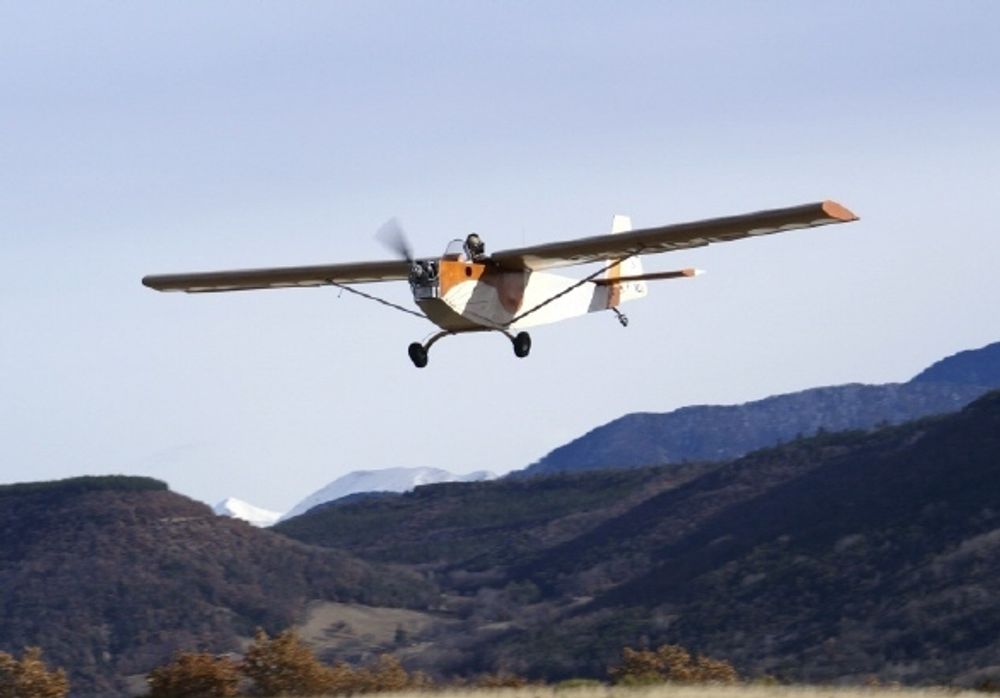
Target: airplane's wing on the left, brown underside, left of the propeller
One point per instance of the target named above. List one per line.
(280, 277)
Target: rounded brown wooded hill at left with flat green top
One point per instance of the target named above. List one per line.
(113, 575)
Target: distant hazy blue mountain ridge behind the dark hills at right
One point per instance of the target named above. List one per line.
(721, 432)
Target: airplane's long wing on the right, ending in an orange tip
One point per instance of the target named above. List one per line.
(680, 236)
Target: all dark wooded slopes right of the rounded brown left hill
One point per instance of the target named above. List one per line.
(832, 557)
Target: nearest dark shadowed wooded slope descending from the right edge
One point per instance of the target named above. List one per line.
(878, 555)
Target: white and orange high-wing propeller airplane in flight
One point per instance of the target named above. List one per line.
(466, 290)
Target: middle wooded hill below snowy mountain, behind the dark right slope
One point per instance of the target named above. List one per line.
(476, 526)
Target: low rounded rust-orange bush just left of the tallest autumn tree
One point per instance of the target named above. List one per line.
(195, 675)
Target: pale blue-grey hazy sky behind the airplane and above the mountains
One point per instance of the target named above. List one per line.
(158, 137)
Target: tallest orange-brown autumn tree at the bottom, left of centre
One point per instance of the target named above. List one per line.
(283, 665)
